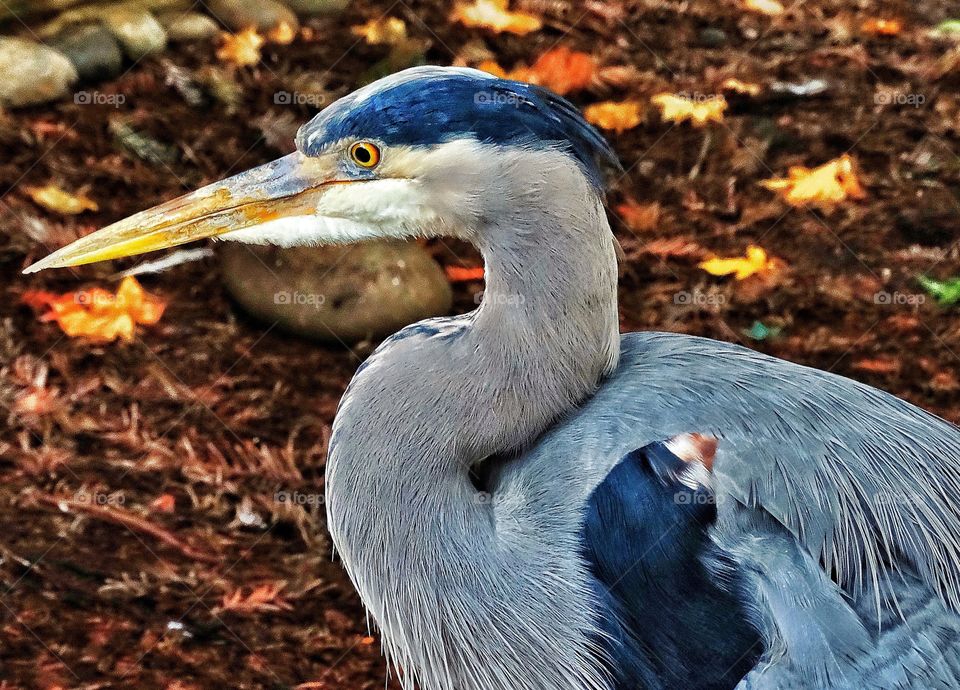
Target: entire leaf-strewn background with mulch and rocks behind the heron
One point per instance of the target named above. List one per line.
(790, 183)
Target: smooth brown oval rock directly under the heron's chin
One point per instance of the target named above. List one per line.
(338, 294)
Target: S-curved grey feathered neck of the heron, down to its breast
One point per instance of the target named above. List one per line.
(469, 592)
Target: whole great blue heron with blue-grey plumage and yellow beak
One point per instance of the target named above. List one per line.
(500, 485)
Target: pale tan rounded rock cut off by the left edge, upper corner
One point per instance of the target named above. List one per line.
(32, 73)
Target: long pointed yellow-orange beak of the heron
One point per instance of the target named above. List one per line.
(286, 187)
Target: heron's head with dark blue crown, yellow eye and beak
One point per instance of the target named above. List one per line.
(419, 153)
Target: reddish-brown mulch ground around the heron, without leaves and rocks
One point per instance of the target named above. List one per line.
(221, 413)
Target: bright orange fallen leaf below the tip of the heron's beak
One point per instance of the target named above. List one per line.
(99, 314)
